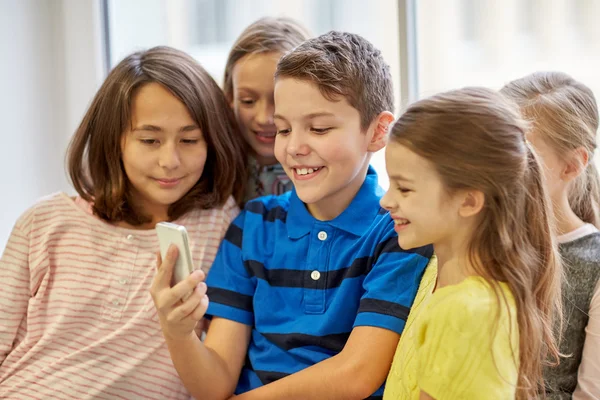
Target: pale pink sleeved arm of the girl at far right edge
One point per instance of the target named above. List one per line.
(588, 381)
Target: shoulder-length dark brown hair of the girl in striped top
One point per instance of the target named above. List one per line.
(94, 155)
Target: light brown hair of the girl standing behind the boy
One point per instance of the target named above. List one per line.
(265, 35)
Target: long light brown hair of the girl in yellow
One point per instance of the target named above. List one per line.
(476, 140)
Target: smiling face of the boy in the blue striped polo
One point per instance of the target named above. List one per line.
(321, 146)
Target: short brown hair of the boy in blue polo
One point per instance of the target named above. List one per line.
(343, 65)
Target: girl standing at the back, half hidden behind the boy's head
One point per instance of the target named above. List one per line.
(249, 86)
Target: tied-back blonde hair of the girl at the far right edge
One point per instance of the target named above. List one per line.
(565, 112)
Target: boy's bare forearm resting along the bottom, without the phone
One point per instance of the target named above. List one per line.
(355, 373)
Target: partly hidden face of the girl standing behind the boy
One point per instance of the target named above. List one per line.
(253, 106)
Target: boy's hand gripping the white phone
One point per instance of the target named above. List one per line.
(178, 317)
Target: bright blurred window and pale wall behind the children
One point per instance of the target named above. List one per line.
(55, 54)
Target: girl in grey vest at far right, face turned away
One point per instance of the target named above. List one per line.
(564, 117)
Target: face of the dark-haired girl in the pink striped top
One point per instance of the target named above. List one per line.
(164, 151)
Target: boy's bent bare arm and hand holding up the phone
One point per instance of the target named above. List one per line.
(208, 370)
